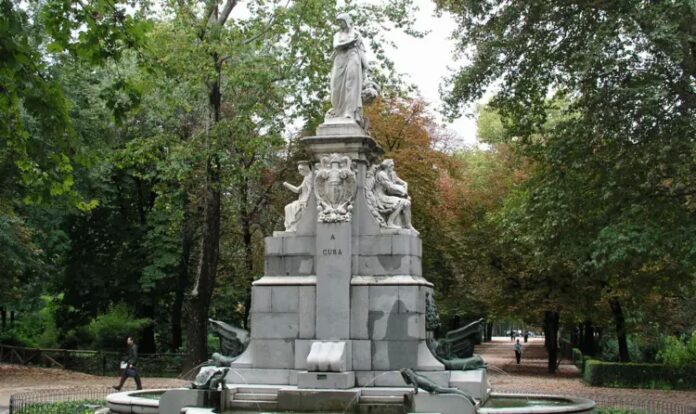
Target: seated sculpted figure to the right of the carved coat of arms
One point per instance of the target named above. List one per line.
(391, 196)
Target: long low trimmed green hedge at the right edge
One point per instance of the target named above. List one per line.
(633, 375)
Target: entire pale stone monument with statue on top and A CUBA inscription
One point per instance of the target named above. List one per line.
(342, 303)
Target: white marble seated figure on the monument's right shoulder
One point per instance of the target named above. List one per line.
(387, 196)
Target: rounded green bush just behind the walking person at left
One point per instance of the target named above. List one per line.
(111, 329)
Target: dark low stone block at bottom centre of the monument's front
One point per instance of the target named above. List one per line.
(324, 401)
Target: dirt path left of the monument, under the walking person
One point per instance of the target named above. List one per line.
(16, 379)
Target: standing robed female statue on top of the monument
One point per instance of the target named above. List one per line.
(348, 72)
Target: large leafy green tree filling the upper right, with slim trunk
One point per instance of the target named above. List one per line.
(615, 178)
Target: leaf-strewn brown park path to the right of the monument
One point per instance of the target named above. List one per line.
(531, 376)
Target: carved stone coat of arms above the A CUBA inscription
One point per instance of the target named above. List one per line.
(334, 187)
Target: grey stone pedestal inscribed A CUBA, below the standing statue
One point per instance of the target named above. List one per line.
(353, 281)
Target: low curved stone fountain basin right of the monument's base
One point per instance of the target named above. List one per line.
(532, 404)
